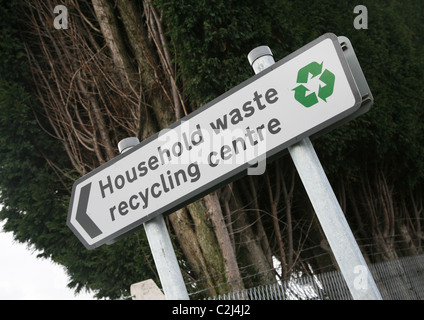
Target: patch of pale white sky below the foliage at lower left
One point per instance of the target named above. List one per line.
(23, 276)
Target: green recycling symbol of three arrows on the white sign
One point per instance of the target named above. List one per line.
(327, 77)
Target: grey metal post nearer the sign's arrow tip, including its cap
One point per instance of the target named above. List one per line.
(160, 244)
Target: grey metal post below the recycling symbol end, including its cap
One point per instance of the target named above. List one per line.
(339, 235)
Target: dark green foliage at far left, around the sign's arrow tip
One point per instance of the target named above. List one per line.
(35, 182)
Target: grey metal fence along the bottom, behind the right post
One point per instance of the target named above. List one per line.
(401, 279)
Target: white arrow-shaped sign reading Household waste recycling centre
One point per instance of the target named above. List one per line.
(301, 95)
